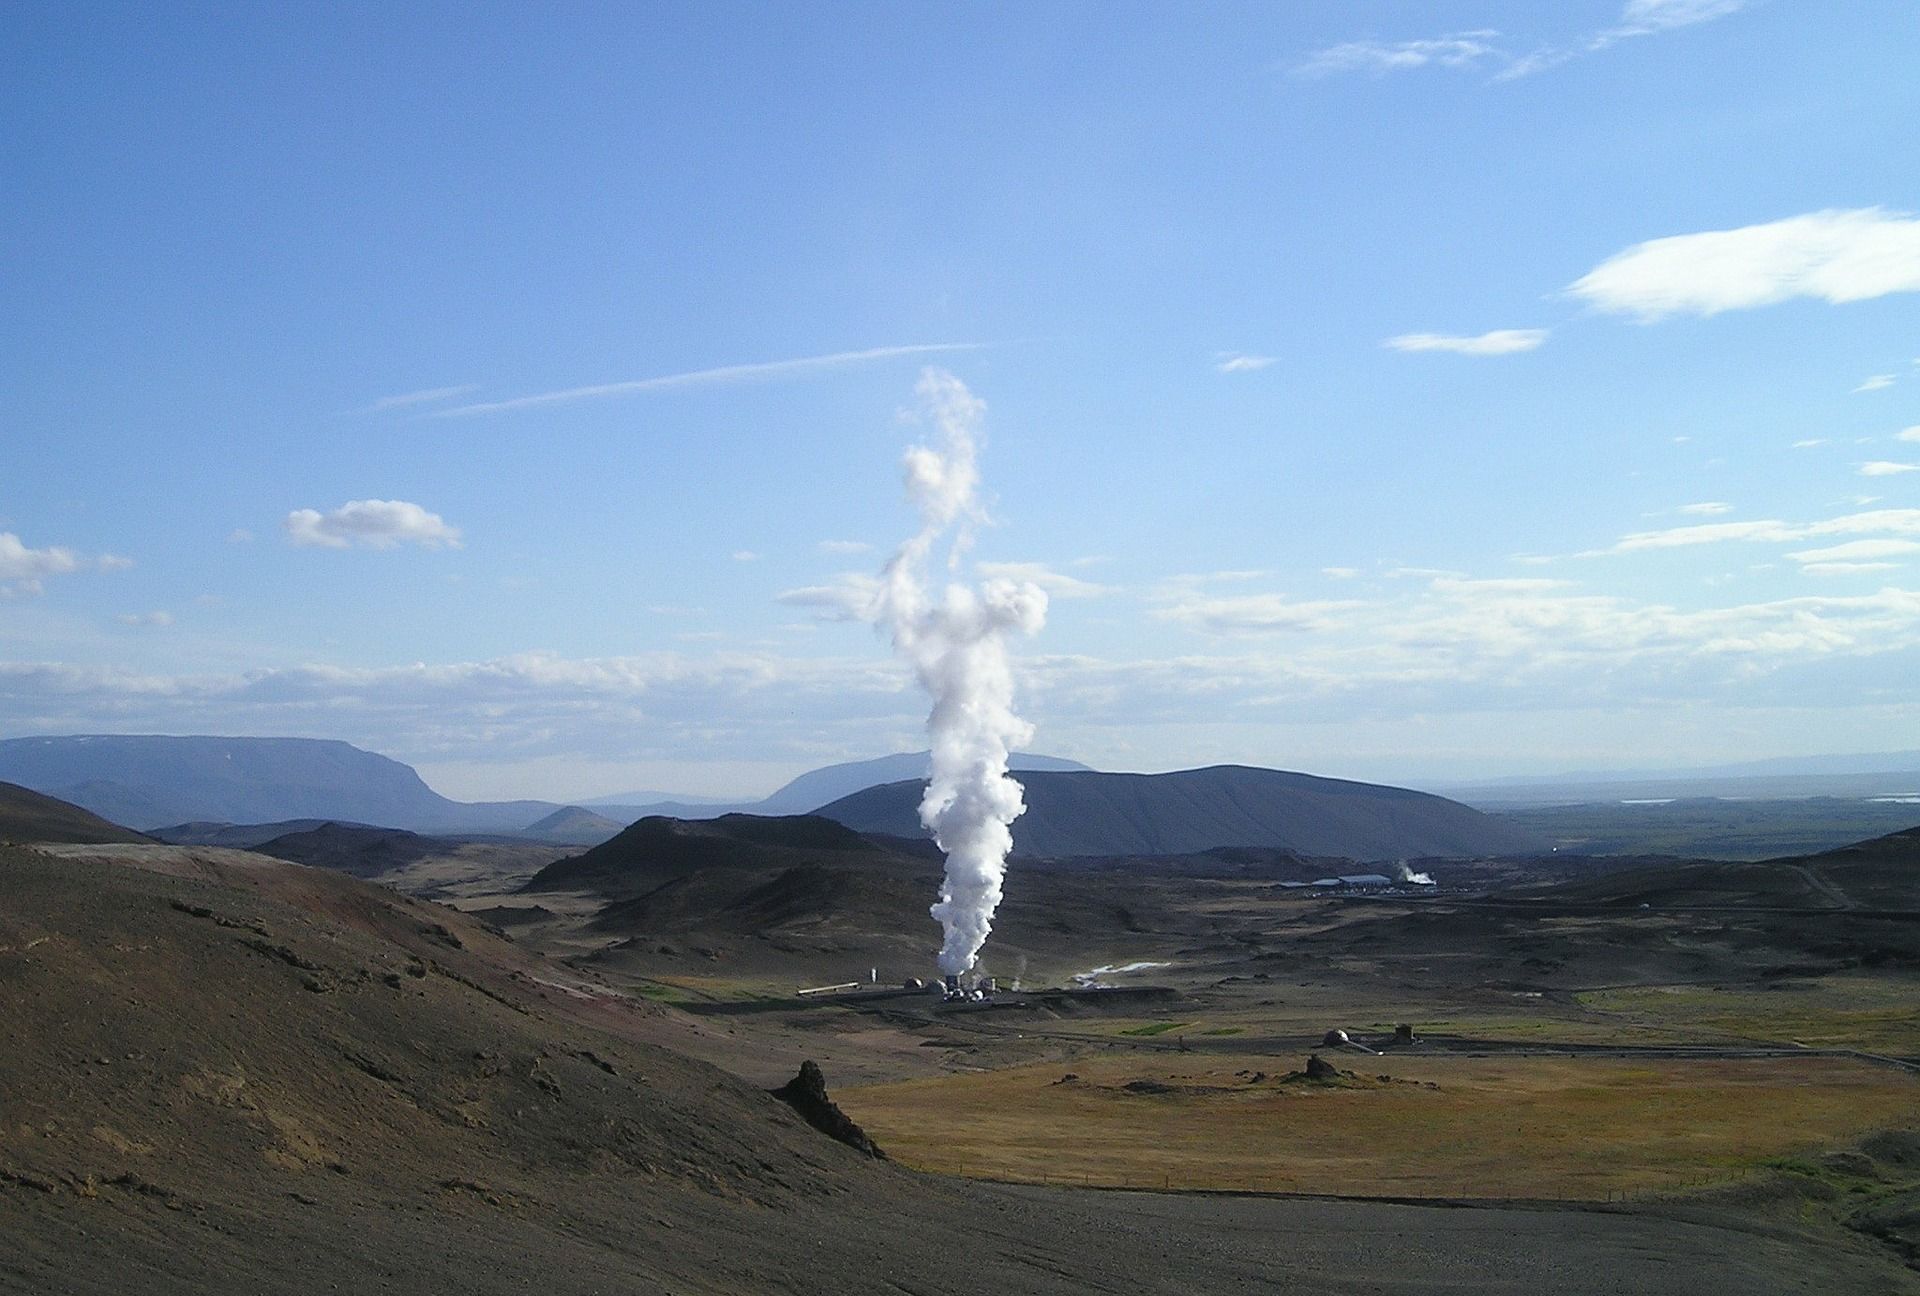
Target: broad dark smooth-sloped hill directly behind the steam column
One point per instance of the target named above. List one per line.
(1191, 811)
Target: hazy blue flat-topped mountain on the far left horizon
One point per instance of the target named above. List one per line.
(155, 780)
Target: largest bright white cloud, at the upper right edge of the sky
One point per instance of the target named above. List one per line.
(1831, 256)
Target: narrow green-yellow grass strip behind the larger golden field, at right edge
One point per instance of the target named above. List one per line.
(1833, 1013)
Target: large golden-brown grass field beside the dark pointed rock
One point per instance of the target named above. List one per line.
(1531, 1128)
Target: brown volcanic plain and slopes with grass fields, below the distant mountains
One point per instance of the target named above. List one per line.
(241, 1072)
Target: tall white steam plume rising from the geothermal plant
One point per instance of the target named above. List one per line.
(957, 646)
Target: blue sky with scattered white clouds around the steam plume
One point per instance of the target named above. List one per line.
(1341, 387)
